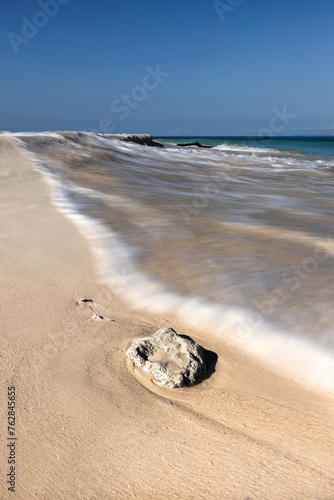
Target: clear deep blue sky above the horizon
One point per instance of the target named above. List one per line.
(168, 67)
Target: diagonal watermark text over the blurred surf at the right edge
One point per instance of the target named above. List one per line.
(292, 279)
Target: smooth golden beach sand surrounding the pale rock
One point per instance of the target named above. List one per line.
(88, 428)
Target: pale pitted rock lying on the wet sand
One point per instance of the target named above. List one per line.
(174, 360)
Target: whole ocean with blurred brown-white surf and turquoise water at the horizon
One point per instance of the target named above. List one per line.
(236, 240)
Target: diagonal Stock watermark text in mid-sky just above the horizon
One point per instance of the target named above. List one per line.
(123, 105)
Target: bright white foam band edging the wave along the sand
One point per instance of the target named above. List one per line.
(301, 359)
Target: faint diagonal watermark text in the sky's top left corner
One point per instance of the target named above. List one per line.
(31, 27)
